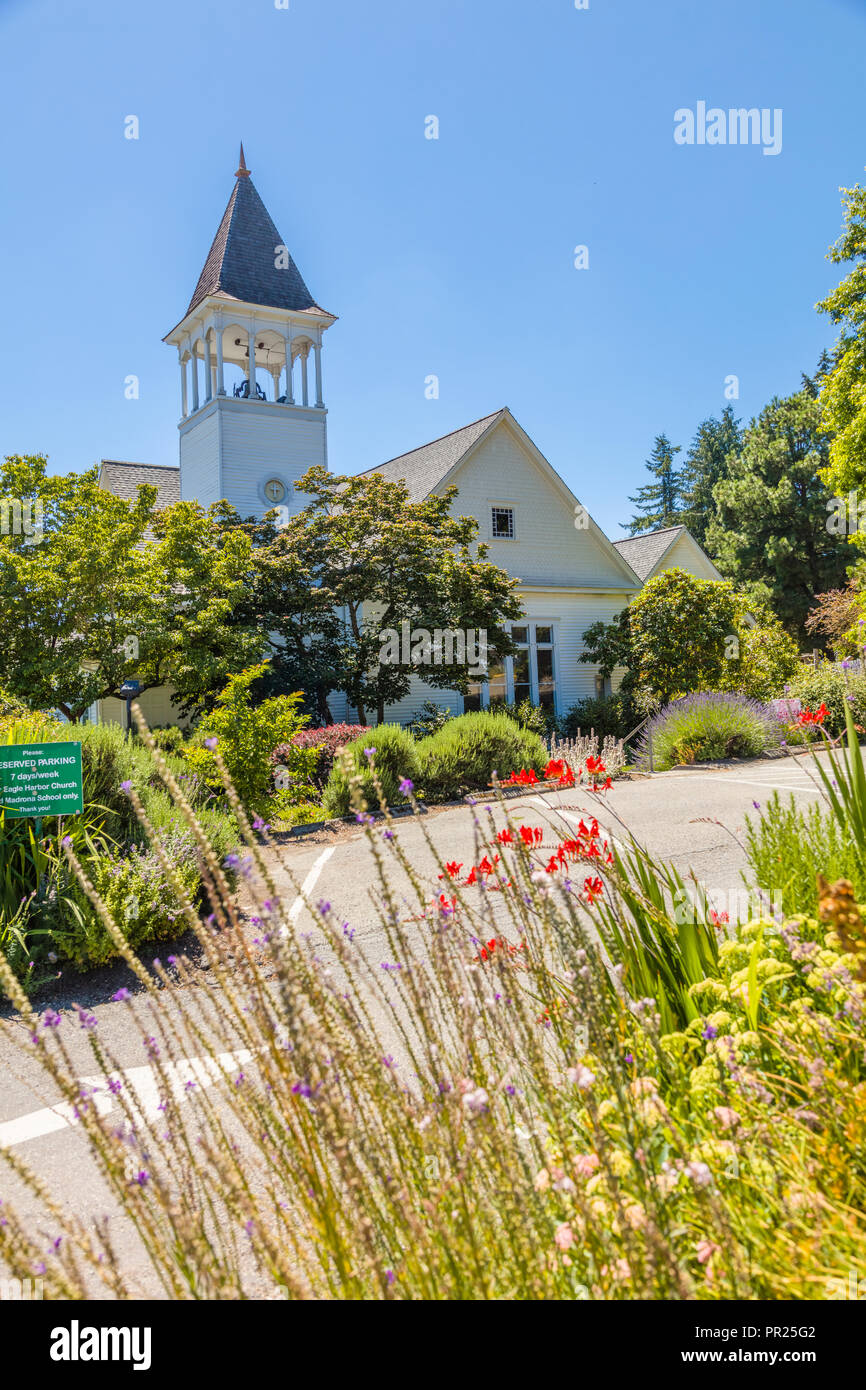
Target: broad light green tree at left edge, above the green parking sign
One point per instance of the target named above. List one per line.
(105, 590)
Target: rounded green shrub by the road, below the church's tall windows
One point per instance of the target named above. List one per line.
(465, 754)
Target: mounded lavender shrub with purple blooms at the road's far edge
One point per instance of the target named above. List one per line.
(705, 726)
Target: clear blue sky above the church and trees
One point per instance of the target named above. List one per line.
(451, 258)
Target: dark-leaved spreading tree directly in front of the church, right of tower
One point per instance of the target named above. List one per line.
(361, 561)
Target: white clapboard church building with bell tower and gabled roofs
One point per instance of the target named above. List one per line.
(248, 434)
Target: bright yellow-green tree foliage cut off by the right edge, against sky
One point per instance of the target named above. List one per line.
(844, 386)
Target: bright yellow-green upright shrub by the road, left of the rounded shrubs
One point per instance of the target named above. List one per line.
(247, 737)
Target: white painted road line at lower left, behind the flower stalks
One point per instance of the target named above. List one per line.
(142, 1086)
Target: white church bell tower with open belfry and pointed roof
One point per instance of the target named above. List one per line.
(252, 408)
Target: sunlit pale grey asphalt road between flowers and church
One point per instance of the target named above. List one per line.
(690, 818)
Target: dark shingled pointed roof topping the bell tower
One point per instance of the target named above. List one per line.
(241, 261)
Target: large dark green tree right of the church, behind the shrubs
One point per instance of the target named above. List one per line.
(771, 533)
